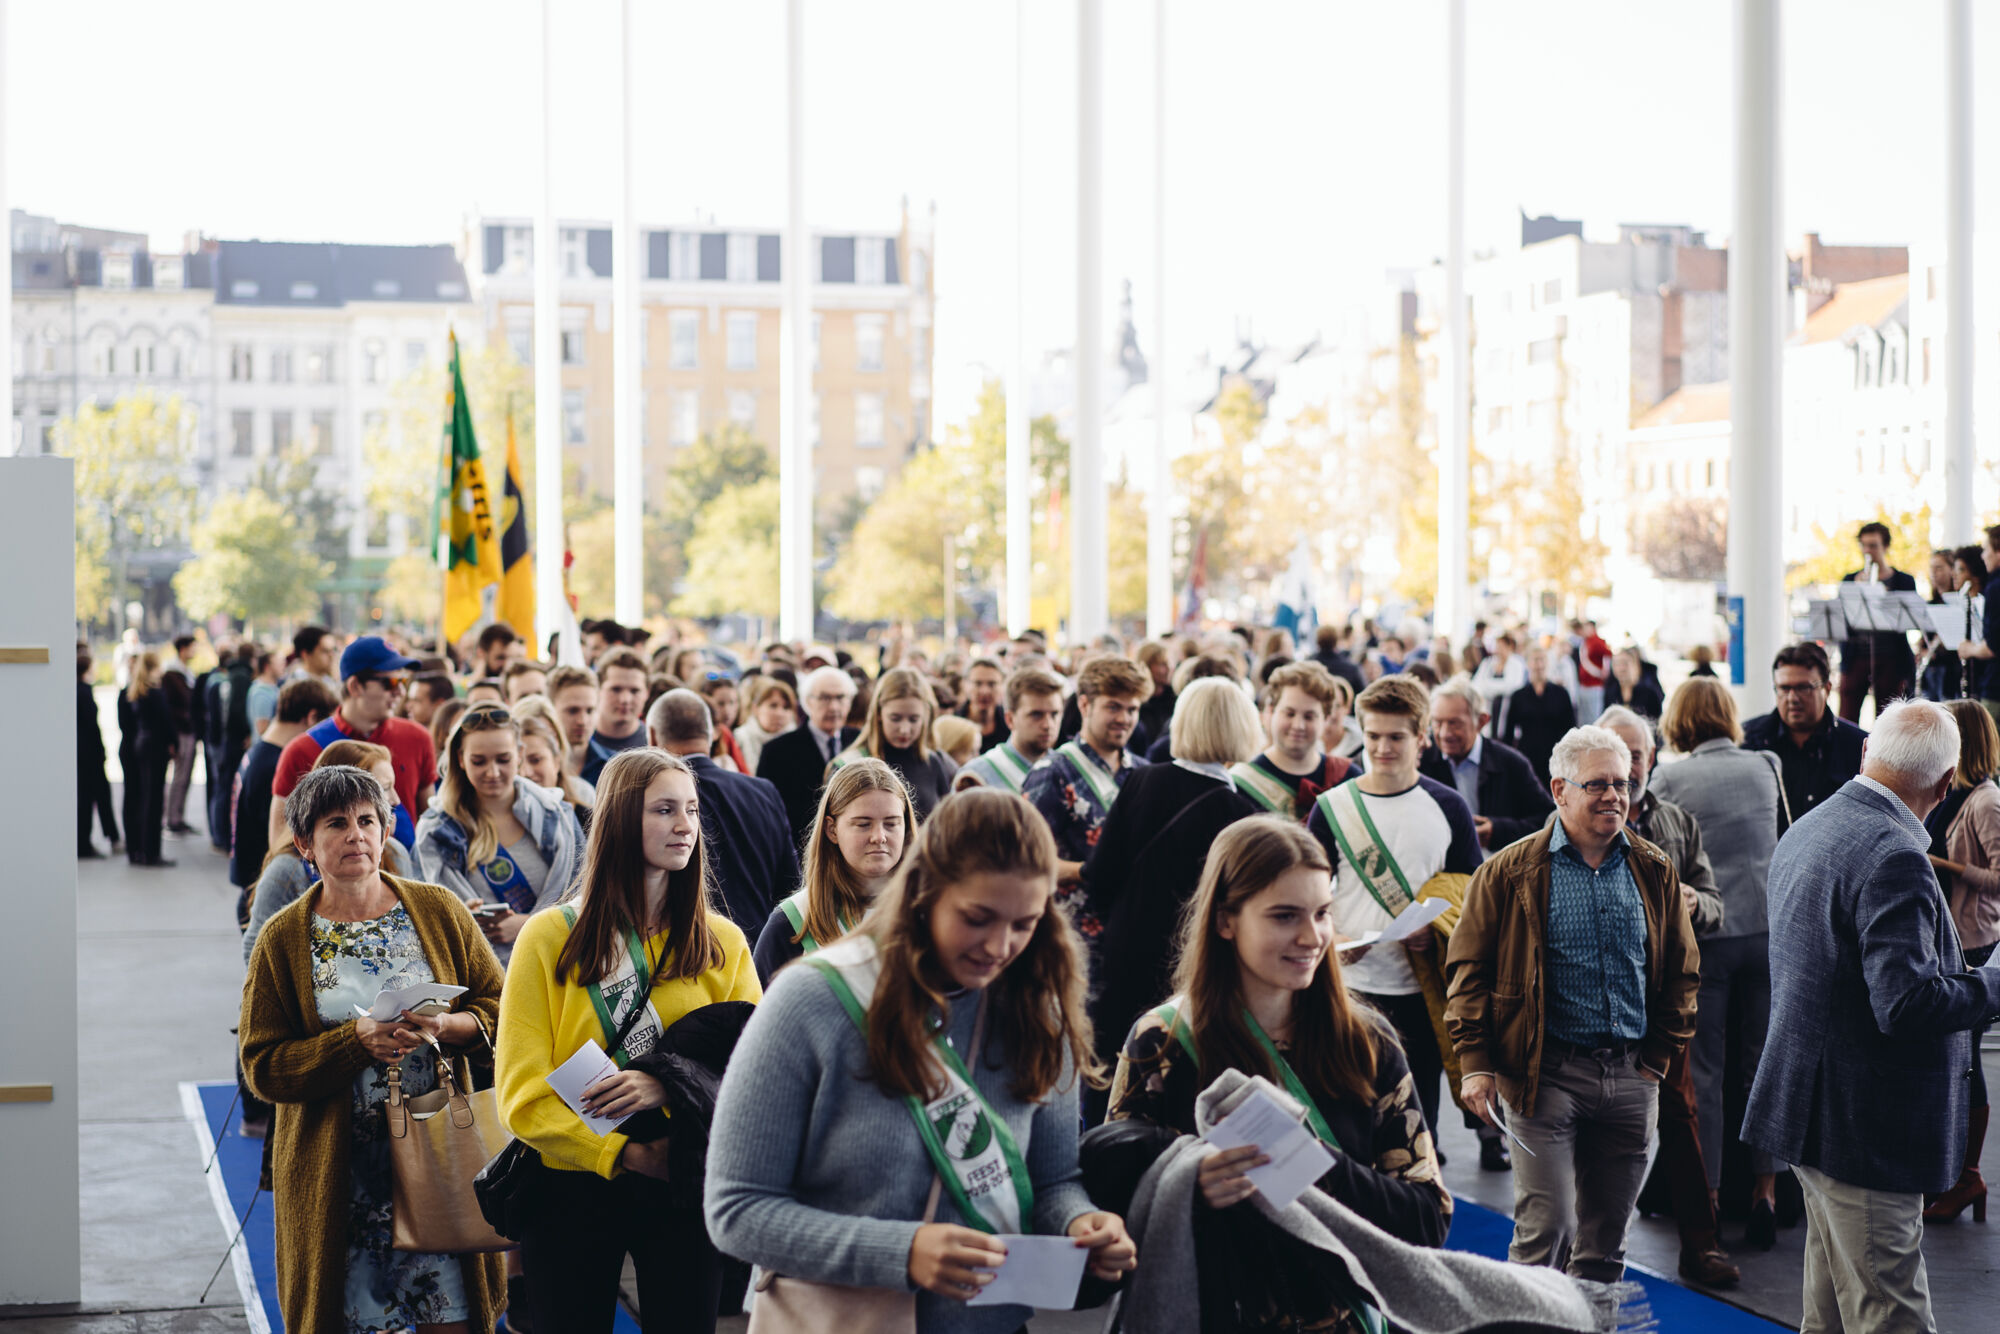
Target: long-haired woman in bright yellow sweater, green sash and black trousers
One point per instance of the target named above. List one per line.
(639, 931)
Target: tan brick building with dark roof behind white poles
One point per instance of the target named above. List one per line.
(711, 333)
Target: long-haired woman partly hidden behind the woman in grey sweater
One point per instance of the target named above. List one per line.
(857, 845)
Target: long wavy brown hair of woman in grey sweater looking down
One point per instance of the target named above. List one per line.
(1037, 1005)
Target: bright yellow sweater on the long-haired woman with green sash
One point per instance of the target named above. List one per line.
(545, 1021)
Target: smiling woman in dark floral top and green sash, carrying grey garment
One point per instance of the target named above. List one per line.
(1259, 991)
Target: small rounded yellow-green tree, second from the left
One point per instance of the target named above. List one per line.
(251, 563)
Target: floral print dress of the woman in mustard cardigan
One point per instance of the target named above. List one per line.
(387, 1289)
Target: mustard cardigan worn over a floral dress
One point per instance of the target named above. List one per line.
(307, 1071)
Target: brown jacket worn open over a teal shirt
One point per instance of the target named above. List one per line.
(1497, 991)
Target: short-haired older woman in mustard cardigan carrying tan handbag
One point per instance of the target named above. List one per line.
(327, 1071)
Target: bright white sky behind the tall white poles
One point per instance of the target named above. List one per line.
(1305, 137)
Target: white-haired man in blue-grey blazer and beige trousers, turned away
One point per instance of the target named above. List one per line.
(1865, 1075)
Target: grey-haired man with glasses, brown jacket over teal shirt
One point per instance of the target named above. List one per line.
(1571, 987)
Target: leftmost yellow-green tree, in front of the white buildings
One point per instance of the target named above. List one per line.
(135, 491)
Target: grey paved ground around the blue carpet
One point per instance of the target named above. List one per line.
(161, 981)
